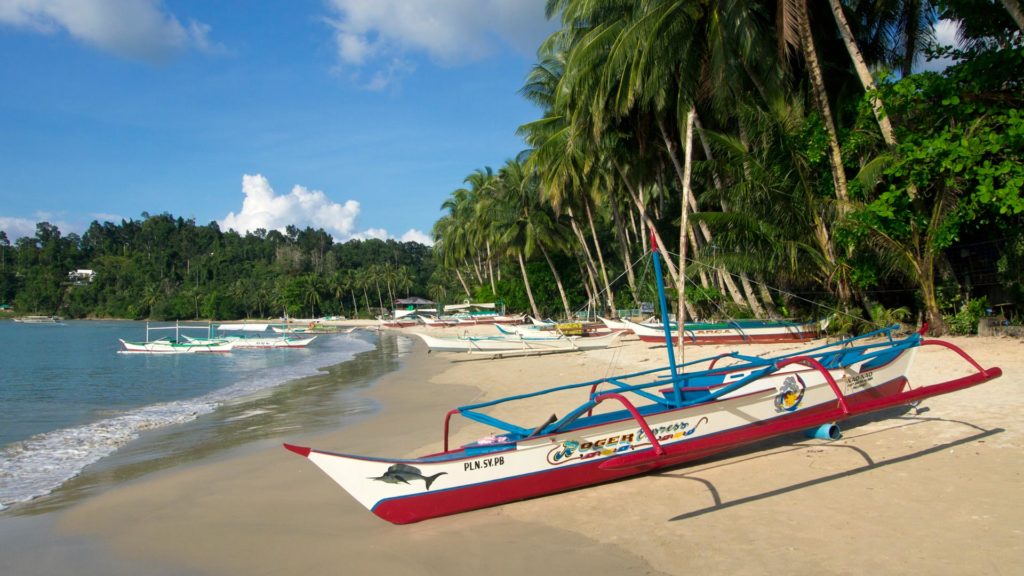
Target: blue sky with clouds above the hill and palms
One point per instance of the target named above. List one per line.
(357, 116)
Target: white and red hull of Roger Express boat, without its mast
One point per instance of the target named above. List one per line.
(799, 395)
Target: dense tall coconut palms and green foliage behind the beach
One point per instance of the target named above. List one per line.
(785, 153)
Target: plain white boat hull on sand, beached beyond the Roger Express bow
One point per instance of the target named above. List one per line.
(517, 344)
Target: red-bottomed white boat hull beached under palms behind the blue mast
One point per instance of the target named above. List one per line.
(727, 334)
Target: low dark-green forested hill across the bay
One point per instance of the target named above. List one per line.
(164, 268)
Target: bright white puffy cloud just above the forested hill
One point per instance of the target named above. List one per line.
(263, 209)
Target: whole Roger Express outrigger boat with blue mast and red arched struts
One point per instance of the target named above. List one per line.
(665, 418)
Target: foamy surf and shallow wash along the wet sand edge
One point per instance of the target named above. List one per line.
(235, 423)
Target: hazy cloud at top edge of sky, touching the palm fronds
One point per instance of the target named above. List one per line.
(452, 32)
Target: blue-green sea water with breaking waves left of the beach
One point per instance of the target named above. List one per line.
(68, 399)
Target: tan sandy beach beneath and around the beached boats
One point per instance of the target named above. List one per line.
(934, 491)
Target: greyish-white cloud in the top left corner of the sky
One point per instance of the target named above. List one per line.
(134, 29)
